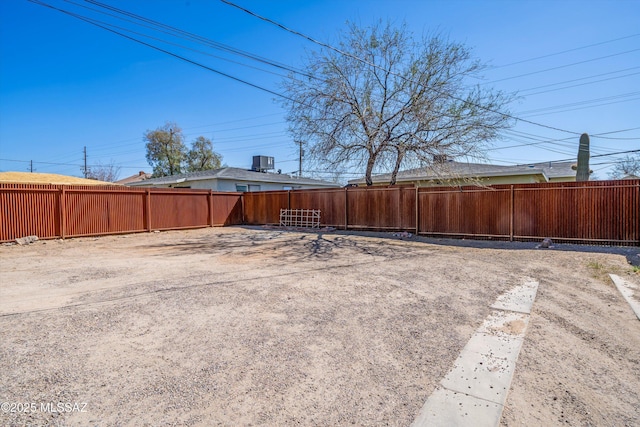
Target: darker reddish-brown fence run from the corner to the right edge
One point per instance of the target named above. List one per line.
(597, 212)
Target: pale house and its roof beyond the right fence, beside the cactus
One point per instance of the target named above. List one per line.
(460, 173)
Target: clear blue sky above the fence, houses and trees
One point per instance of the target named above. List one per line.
(66, 84)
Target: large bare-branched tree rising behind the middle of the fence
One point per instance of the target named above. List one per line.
(385, 100)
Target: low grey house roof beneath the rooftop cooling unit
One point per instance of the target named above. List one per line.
(235, 174)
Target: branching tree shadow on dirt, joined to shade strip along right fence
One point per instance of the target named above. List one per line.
(329, 244)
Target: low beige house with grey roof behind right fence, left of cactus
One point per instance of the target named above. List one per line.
(461, 170)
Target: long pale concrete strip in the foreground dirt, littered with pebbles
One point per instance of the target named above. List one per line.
(474, 391)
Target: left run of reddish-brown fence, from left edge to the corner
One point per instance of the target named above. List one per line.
(50, 211)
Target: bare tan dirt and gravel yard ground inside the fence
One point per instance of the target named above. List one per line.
(244, 326)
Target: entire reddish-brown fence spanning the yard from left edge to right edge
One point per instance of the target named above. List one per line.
(598, 212)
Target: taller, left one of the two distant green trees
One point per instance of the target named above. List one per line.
(166, 151)
